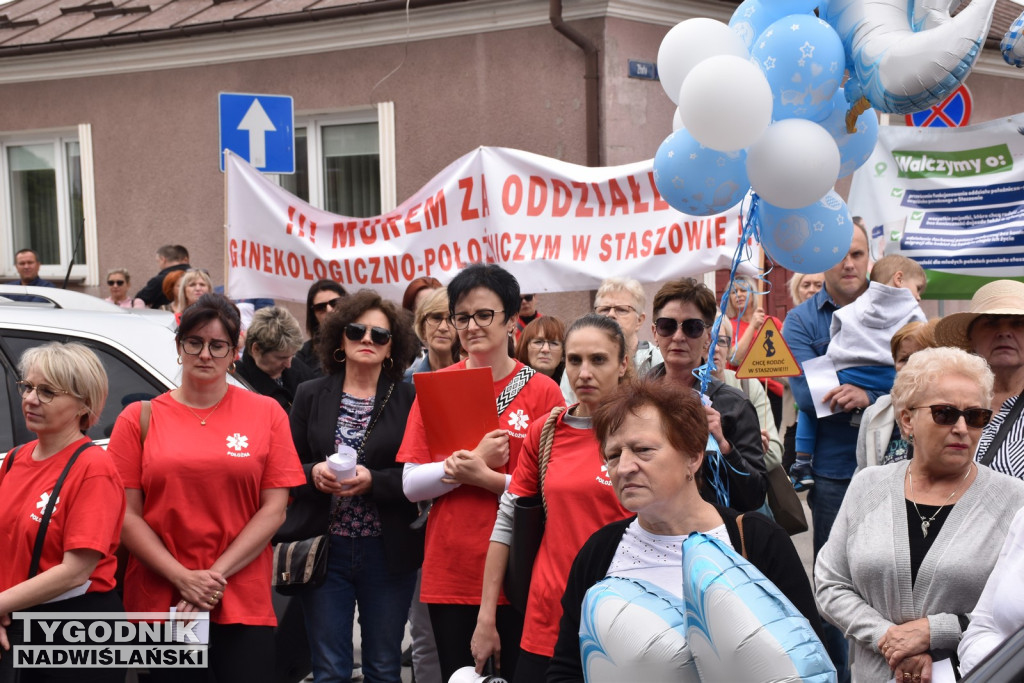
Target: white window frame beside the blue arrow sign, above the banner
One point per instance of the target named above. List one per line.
(383, 116)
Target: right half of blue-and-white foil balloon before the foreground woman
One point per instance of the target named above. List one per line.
(740, 625)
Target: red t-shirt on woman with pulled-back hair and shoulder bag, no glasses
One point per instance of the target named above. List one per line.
(581, 501)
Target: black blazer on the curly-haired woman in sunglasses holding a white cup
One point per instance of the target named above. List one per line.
(315, 418)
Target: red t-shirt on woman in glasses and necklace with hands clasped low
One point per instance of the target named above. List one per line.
(202, 485)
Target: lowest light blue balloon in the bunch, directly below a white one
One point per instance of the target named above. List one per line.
(809, 240)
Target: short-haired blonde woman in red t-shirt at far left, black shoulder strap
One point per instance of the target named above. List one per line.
(64, 389)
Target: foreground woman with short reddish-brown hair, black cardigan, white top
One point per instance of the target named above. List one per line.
(653, 436)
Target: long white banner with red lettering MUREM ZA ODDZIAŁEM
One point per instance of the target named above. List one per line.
(557, 227)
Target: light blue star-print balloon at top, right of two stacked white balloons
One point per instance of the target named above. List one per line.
(803, 59)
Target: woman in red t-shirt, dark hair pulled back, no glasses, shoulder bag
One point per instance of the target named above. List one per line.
(578, 492)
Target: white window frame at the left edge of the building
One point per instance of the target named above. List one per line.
(86, 273)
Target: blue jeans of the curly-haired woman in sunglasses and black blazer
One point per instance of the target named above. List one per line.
(358, 574)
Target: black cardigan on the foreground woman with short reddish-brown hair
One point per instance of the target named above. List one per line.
(769, 548)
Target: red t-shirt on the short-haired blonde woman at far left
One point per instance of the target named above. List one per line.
(88, 516)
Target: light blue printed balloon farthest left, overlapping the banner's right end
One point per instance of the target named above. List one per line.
(698, 181)
